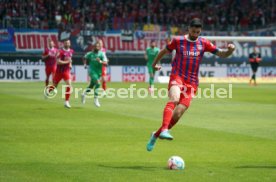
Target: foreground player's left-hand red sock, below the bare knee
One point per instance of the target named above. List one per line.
(167, 116)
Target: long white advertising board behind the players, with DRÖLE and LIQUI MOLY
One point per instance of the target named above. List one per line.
(130, 73)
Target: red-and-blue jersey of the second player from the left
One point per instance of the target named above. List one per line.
(64, 55)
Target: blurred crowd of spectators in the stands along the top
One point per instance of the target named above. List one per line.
(168, 15)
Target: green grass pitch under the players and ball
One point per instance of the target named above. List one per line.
(219, 139)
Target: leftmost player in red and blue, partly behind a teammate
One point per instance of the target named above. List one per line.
(49, 56)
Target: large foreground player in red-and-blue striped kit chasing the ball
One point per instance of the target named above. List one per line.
(184, 75)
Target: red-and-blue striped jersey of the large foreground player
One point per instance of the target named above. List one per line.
(189, 56)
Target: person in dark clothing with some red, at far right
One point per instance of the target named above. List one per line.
(254, 59)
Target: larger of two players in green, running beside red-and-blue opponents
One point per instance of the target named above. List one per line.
(96, 60)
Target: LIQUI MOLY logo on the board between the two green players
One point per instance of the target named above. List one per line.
(134, 73)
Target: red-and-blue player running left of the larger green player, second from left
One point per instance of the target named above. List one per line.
(64, 64)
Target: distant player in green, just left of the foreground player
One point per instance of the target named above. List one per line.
(150, 54)
